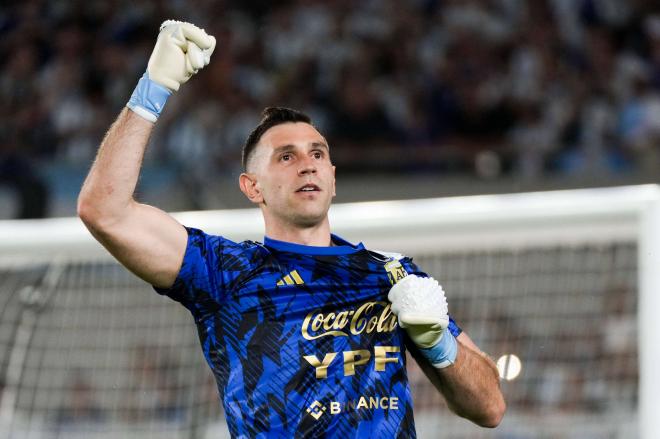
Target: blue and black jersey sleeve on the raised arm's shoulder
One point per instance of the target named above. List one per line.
(200, 285)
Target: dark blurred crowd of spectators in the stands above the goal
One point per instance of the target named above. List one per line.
(465, 87)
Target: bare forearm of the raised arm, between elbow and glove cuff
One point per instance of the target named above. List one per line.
(109, 187)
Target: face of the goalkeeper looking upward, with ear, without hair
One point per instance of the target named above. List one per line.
(290, 175)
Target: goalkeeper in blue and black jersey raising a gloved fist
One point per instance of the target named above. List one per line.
(299, 331)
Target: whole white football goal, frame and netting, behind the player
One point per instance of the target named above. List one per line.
(560, 287)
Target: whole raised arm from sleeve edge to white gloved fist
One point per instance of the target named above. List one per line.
(143, 238)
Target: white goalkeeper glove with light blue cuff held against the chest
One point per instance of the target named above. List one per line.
(421, 307)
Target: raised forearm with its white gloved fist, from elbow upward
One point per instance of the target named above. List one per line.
(181, 50)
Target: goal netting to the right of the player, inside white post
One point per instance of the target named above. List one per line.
(570, 315)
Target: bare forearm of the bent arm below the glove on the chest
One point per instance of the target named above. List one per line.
(471, 387)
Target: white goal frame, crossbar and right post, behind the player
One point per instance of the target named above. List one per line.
(510, 222)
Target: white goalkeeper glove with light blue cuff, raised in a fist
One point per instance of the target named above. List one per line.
(181, 50)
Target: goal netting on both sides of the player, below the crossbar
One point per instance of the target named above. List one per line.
(105, 356)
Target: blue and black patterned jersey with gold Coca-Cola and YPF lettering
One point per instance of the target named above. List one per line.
(301, 339)
